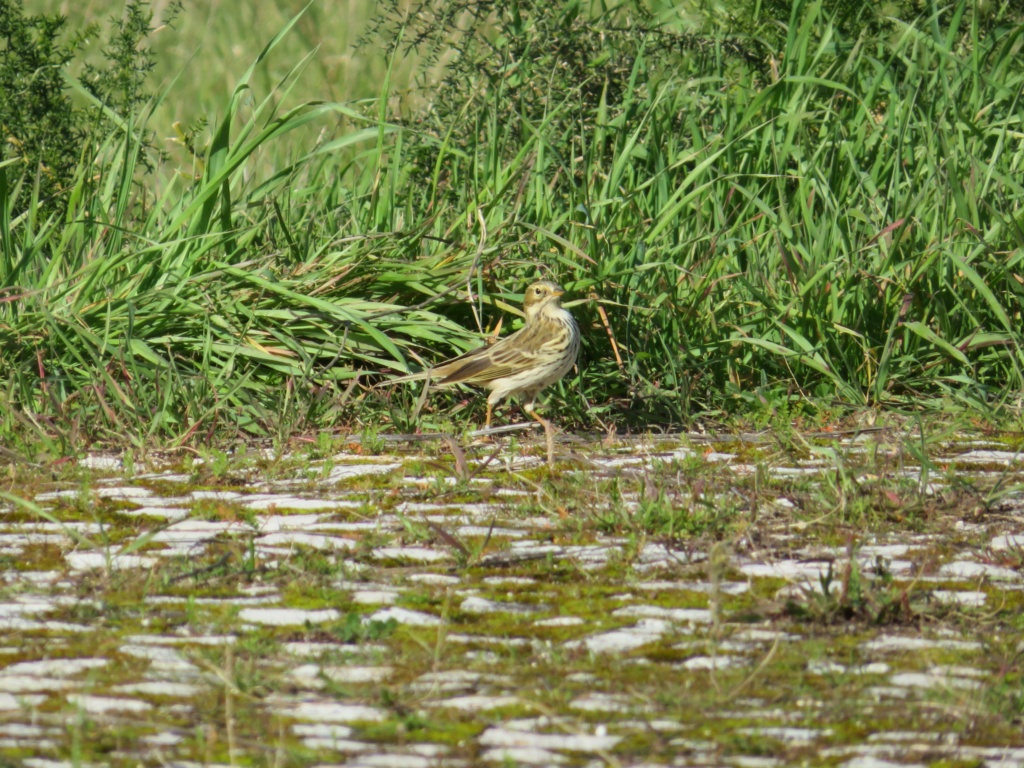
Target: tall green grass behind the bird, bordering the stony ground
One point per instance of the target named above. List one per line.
(835, 231)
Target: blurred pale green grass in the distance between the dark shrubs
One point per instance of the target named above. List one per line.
(210, 45)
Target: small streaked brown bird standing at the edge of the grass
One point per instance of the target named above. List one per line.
(523, 364)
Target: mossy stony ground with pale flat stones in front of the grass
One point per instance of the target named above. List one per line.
(850, 601)
